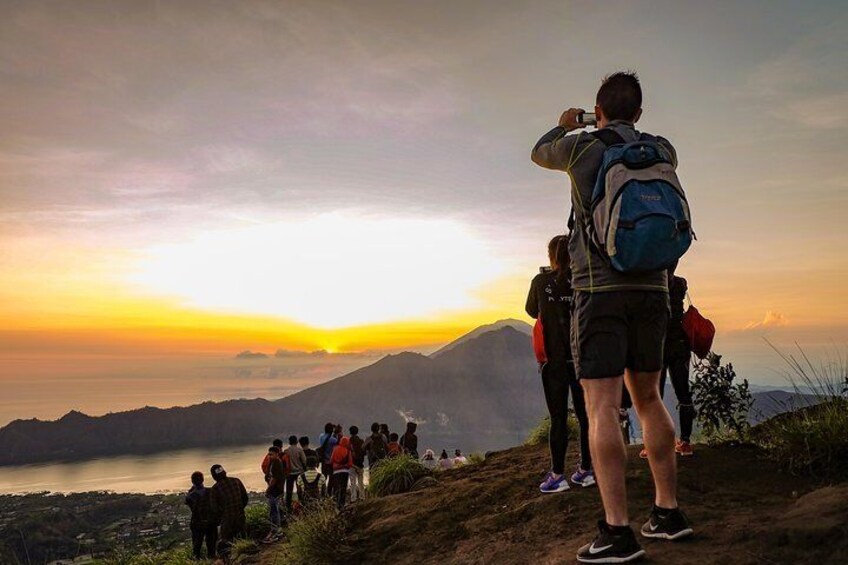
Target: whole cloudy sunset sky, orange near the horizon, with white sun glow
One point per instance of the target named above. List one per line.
(180, 179)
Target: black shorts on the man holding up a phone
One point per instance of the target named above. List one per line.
(613, 331)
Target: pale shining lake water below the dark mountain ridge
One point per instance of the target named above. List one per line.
(159, 472)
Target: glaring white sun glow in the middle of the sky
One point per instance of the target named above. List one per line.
(327, 271)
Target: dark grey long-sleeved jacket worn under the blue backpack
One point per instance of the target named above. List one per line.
(580, 155)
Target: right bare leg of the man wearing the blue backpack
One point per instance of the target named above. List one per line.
(658, 433)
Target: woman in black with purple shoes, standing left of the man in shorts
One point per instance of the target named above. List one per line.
(549, 302)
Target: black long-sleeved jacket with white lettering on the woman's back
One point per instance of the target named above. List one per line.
(551, 299)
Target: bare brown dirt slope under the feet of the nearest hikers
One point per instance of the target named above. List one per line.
(744, 511)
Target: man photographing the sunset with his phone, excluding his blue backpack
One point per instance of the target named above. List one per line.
(618, 329)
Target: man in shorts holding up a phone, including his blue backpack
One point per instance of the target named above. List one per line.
(621, 304)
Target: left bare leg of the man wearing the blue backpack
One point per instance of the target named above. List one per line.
(609, 456)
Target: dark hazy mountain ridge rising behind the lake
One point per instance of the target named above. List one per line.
(481, 394)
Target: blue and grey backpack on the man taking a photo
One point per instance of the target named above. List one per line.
(639, 215)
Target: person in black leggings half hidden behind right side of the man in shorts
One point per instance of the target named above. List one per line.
(677, 358)
